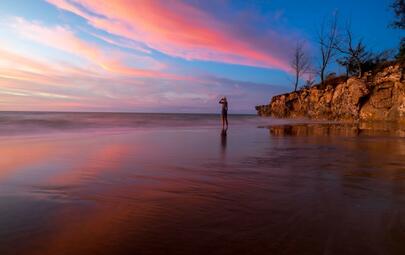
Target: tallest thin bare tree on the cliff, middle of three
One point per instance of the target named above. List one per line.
(327, 40)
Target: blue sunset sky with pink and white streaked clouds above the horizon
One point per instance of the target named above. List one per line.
(165, 56)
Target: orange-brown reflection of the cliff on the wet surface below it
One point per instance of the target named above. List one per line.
(366, 147)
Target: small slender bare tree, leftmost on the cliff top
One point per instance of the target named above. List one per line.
(300, 63)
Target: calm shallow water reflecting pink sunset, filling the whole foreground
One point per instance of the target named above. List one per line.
(104, 183)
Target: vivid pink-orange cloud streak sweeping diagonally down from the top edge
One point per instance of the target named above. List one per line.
(178, 29)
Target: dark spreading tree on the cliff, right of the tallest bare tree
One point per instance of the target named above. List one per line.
(354, 54)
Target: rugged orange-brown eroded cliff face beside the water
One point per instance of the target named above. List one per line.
(372, 97)
